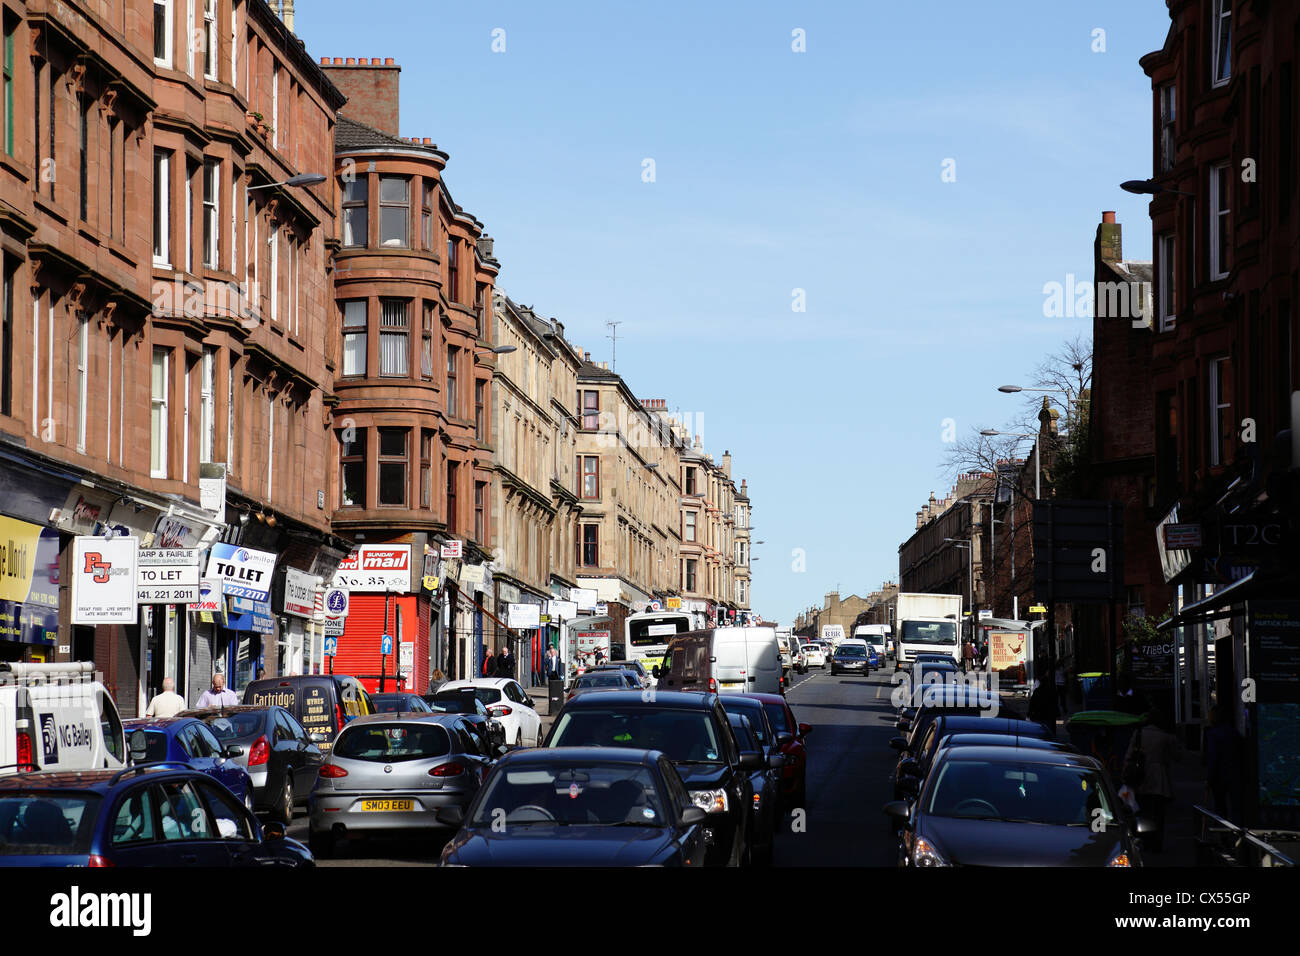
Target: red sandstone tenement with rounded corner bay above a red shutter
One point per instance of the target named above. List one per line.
(414, 287)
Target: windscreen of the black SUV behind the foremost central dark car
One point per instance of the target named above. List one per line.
(683, 736)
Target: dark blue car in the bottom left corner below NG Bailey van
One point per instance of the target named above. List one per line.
(155, 815)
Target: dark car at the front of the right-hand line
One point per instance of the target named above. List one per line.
(1016, 807)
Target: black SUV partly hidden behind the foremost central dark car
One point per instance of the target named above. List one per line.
(694, 732)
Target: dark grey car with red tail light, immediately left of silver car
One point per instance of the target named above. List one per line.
(278, 754)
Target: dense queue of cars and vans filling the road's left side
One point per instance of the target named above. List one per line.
(694, 764)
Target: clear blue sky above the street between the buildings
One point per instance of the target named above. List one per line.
(778, 171)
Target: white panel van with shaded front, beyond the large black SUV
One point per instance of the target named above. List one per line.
(725, 660)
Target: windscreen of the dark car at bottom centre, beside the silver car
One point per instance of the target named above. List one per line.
(584, 794)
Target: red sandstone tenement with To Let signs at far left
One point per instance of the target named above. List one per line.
(164, 309)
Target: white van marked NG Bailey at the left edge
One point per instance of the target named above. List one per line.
(58, 717)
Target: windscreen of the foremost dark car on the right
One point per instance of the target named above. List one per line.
(1020, 793)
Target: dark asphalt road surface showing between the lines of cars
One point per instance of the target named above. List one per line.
(850, 767)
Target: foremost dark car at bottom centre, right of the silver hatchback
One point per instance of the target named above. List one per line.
(579, 807)
